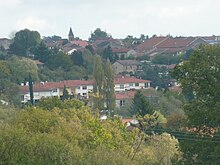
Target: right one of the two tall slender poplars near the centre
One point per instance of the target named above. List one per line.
(109, 86)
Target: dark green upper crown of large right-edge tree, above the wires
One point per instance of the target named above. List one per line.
(199, 77)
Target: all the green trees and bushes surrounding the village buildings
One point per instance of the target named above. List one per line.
(69, 132)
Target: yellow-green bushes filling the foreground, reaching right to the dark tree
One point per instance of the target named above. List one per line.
(67, 132)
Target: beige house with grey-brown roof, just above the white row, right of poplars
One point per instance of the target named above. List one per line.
(127, 66)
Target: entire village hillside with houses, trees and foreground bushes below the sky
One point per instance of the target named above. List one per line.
(138, 100)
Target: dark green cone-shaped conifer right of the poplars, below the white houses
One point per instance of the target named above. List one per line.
(140, 105)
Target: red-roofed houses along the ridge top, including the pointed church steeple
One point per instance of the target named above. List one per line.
(152, 46)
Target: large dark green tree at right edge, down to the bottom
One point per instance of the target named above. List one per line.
(199, 77)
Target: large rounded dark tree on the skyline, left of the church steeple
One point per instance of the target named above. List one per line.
(24, 42)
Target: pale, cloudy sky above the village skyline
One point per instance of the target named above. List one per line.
(119, 18)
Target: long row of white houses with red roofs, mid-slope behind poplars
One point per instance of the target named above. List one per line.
(82, 89)
